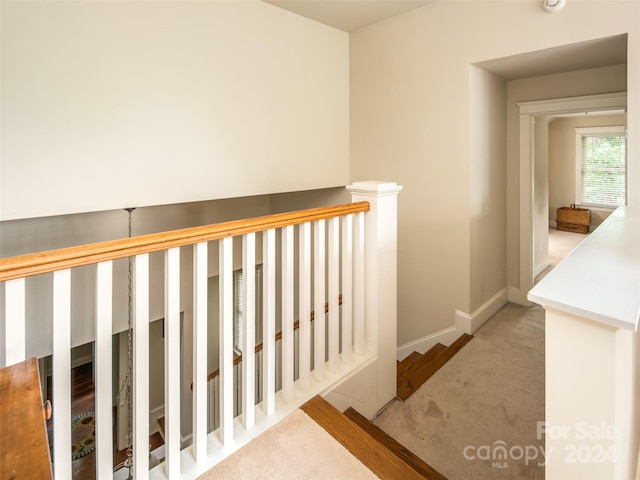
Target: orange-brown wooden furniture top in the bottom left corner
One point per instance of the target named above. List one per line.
(24, 448)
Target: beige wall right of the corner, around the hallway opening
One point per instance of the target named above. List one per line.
(411, 107)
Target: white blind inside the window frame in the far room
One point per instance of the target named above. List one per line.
(604, 169)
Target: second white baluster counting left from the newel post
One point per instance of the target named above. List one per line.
(347, 287)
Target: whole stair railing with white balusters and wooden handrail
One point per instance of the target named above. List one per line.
(305, 364)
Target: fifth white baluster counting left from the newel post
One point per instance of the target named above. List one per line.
(304, 332)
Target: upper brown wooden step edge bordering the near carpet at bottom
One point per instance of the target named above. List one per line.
(375, 456)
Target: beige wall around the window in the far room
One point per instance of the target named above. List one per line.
(562, 154)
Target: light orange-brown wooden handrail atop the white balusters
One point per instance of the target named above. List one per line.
(52, 260)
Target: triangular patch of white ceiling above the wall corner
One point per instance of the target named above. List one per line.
(349, 15)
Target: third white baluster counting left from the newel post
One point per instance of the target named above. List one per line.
(334, 280)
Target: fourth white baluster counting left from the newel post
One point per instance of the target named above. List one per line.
(319, 299)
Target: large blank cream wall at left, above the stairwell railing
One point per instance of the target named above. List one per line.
(107, 105)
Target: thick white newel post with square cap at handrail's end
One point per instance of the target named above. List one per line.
(381, 252)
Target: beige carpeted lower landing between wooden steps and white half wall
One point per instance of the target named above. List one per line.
(476, 418)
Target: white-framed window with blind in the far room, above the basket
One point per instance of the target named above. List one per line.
(601, 167)
